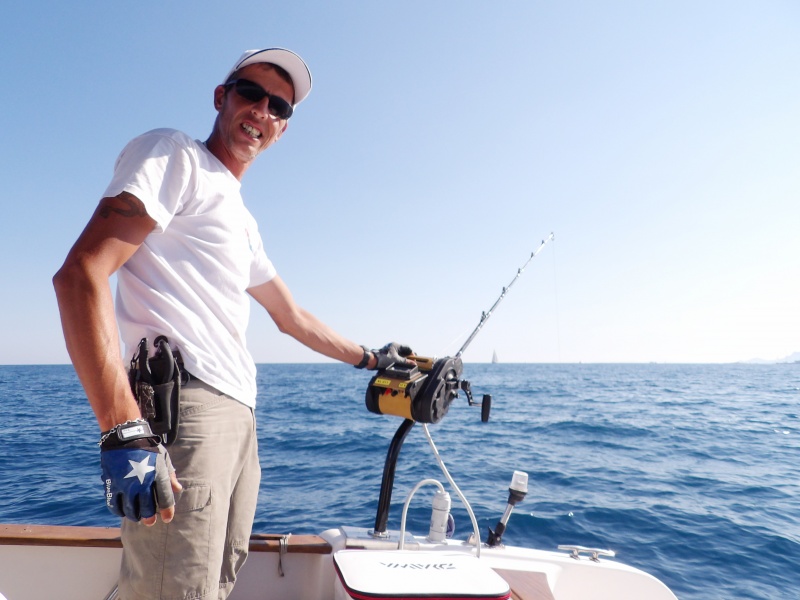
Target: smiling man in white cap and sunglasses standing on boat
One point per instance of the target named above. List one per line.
(187, 253)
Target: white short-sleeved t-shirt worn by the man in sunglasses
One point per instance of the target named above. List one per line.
(189, 278)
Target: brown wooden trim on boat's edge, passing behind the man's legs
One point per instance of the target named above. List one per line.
(108, 537)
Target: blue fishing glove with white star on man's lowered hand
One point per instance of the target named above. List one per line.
(136, 470)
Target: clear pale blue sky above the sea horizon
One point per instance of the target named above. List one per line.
(443, 140)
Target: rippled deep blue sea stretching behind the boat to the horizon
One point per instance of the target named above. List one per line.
(690, 472)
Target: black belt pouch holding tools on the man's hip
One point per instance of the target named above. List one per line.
(156, 385)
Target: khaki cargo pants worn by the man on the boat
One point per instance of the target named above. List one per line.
(198, 554)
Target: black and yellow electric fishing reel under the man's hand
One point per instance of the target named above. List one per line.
(422, 392)
